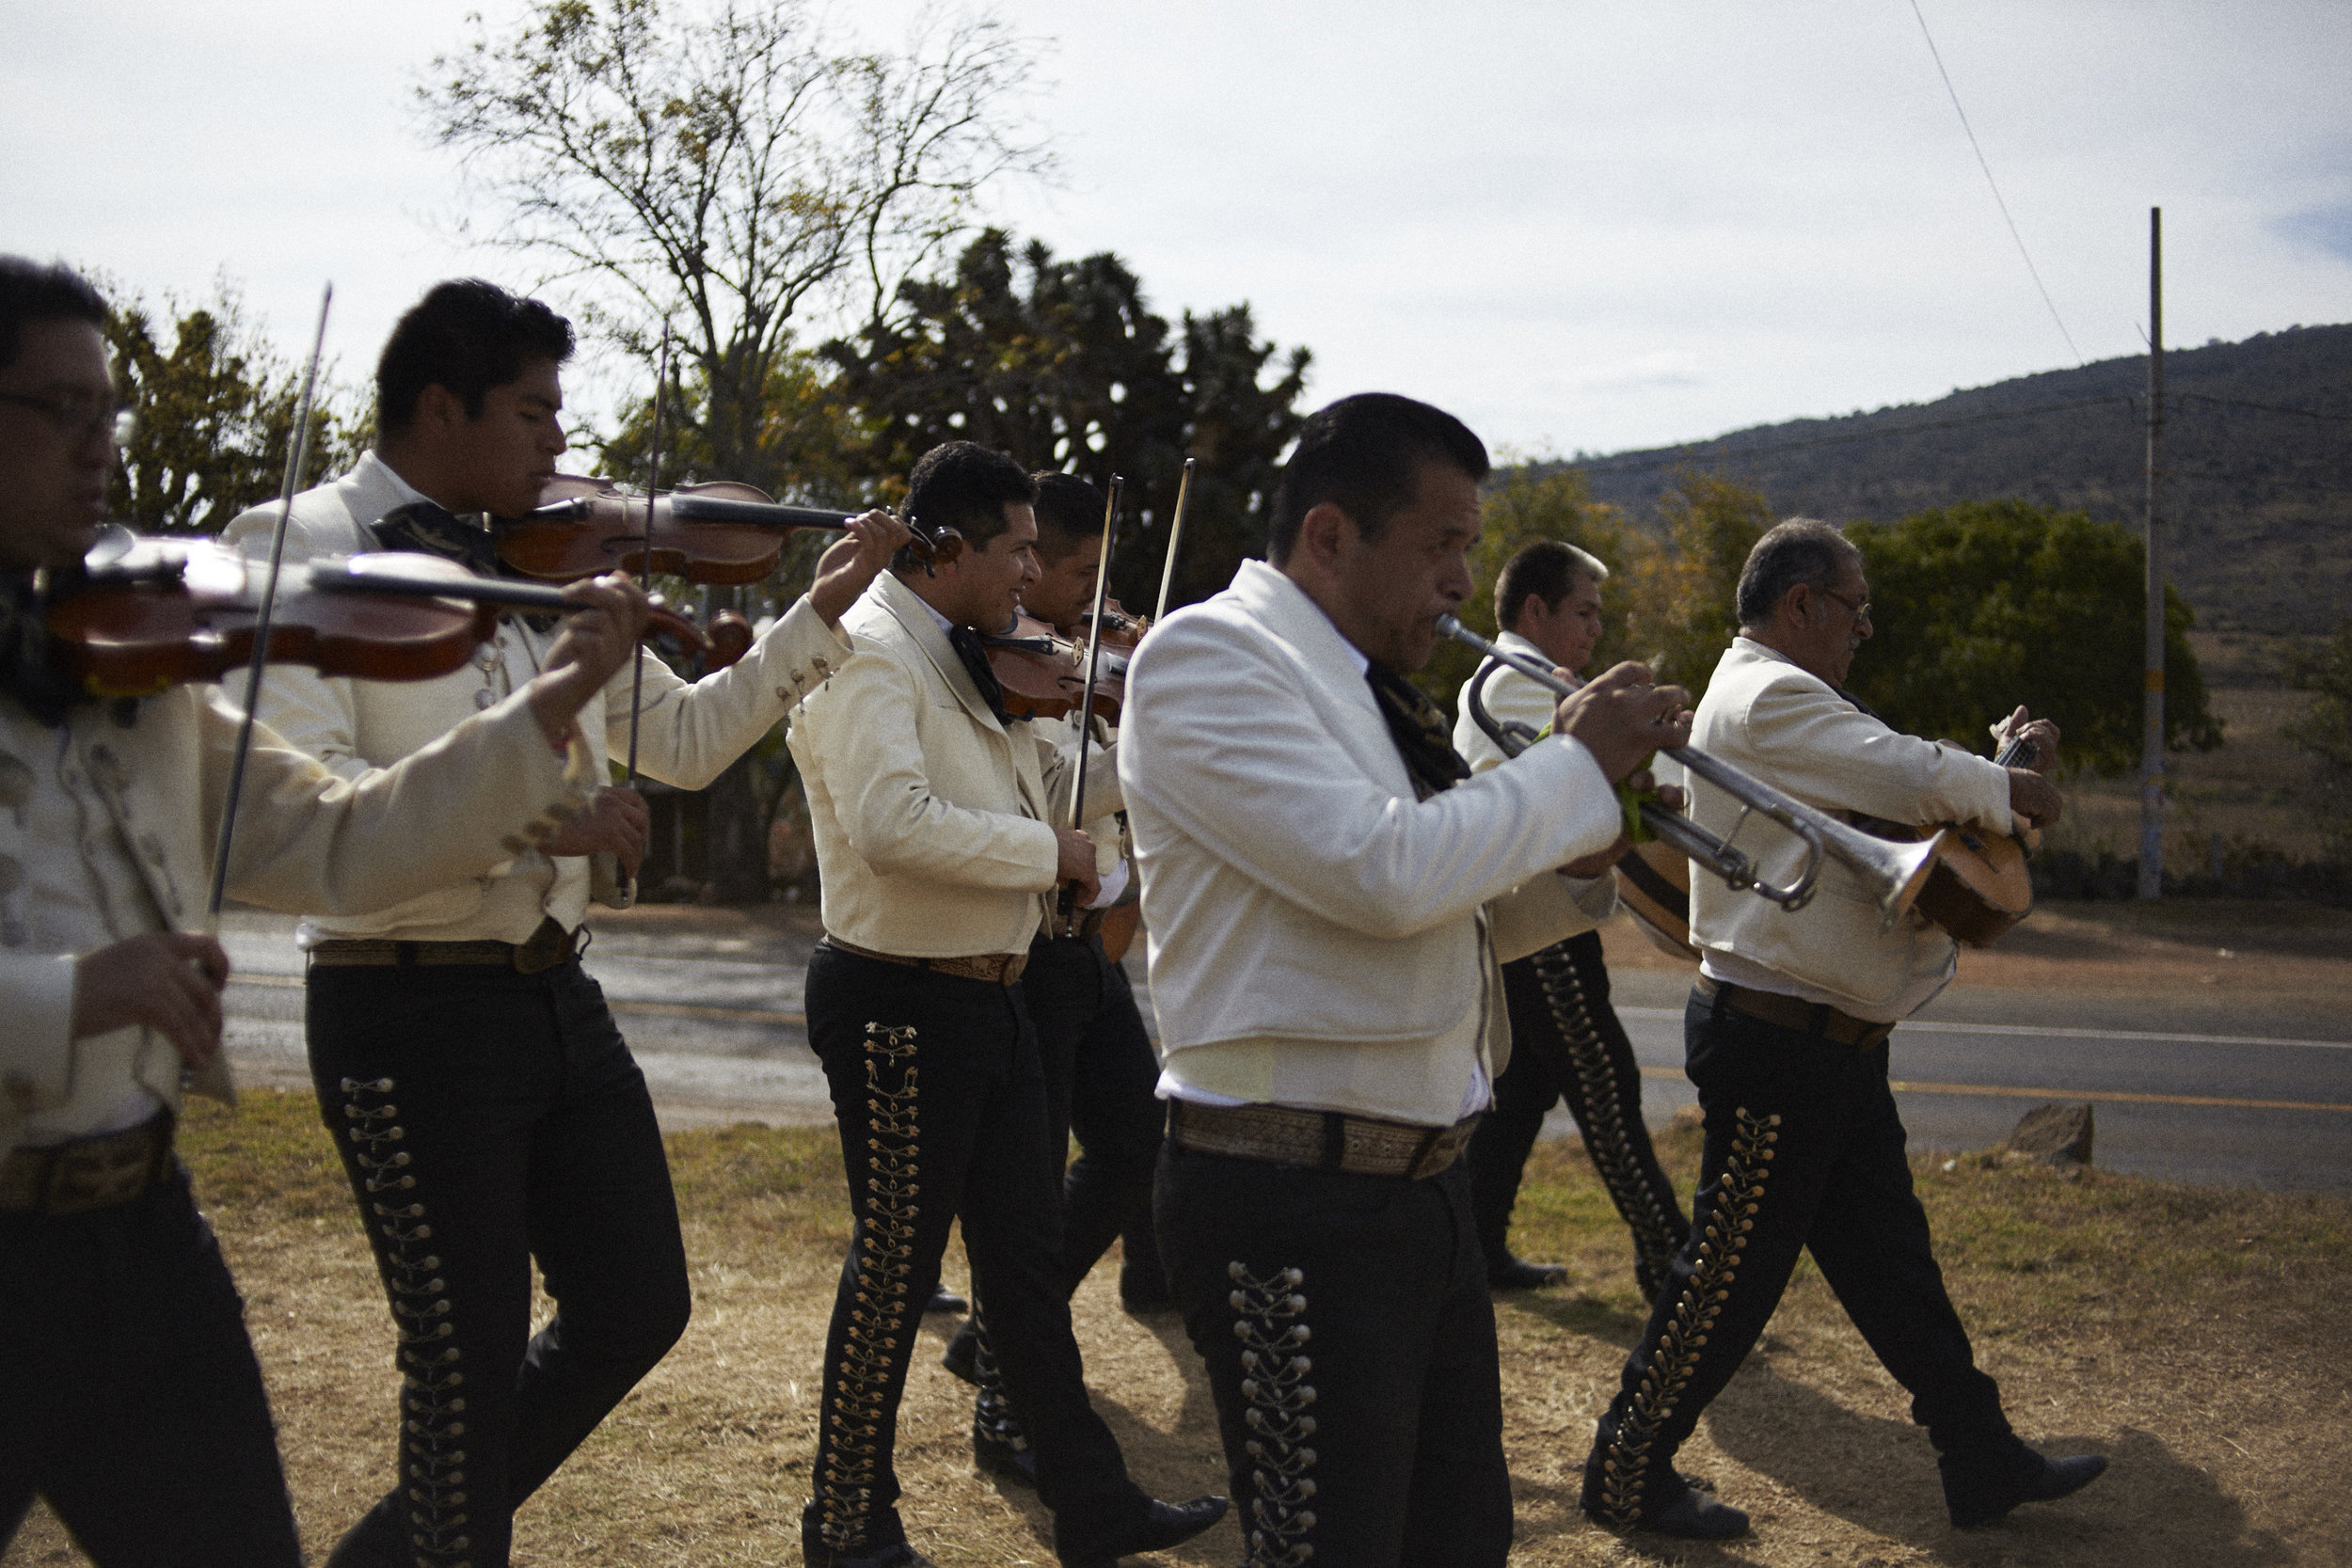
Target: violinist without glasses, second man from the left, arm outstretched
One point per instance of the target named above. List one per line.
(455, 1036)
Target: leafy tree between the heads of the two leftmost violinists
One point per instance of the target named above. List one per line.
(213, 415)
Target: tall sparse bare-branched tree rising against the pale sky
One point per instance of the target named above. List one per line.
(728, 170)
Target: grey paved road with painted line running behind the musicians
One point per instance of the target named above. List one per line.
(2186, 1094)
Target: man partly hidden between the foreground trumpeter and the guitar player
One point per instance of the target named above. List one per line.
(1568, 1043)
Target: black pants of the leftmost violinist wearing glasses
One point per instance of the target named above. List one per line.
(131, 1395)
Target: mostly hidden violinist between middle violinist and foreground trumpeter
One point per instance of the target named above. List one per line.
(1100, 1064)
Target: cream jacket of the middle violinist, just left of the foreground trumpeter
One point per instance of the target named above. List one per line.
(935, 824)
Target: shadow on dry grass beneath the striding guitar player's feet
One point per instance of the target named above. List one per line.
(2151, 1510)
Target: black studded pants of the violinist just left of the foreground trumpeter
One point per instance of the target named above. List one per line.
(944, 1115)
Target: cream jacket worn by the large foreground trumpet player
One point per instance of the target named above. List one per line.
(1316, 932)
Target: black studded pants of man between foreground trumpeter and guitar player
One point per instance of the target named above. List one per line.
(1568, 1045)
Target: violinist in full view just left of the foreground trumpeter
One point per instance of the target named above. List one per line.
(942, 840)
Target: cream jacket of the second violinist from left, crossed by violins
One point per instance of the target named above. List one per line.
(688, 732)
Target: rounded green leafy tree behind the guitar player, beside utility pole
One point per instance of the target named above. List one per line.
(1998, 603)
